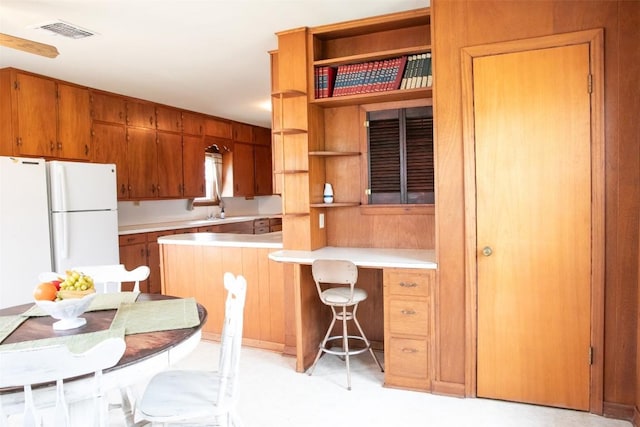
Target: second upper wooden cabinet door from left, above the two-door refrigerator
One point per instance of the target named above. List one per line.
(74, 122)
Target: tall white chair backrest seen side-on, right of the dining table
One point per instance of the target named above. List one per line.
(231, 340)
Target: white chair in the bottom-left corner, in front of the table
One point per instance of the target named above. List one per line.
(27, 367)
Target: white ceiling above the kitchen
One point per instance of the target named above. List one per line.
(209, 56)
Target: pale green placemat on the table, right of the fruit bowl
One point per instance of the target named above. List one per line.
(151, 316)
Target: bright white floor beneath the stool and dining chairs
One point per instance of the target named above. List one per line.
(272, 394)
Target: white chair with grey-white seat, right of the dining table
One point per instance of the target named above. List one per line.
(198, 397)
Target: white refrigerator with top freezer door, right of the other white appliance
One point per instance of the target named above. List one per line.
(84, 214)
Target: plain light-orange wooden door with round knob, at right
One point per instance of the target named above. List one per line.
(533, 199)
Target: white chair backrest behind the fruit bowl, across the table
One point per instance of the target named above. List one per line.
(111, 277)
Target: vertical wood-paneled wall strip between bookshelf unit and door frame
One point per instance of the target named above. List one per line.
(450, 24)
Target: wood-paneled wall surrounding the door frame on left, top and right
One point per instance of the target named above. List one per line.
(460, 24)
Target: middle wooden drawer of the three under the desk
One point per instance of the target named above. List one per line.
(407, 316)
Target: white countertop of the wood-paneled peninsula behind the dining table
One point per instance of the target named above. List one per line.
(267, 240)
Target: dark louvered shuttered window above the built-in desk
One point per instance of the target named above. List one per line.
(401, 166)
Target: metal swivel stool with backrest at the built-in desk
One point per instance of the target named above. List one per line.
(344, 274)
